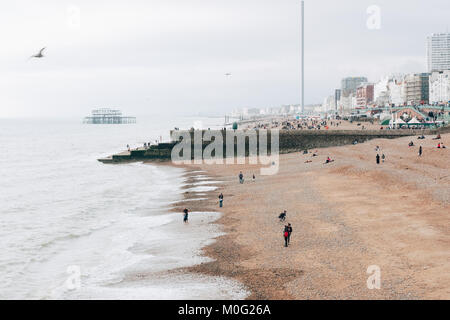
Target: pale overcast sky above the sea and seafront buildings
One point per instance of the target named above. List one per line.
(170, 56)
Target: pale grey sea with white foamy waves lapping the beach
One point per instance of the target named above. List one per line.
(74, 228)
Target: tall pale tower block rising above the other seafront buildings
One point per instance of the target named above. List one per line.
(438, 52)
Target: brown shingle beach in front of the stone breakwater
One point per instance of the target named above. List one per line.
(346, 216)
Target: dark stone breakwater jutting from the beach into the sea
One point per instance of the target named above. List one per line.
(289, 141)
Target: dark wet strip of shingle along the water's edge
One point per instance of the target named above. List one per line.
(222, 251)
